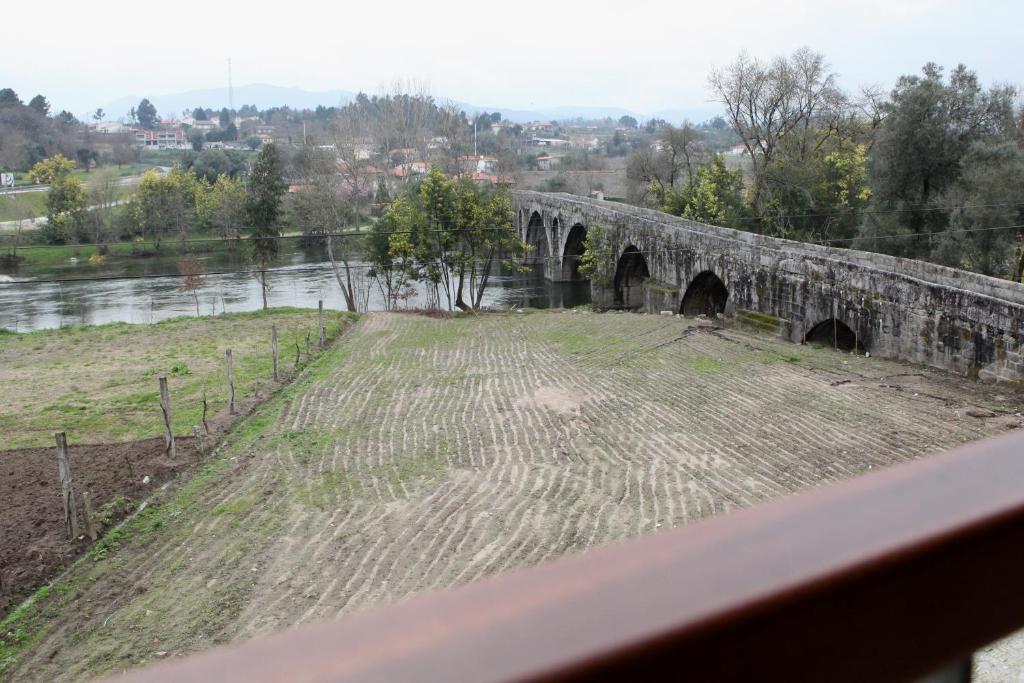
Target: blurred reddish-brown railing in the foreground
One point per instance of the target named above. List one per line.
(883, 578)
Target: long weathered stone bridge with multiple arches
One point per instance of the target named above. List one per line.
(891, 308)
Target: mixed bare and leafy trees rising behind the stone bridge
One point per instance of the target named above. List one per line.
(934, 170)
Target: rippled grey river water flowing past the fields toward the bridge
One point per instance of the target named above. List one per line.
(300, 279)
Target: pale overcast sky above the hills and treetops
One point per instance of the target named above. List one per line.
(638, 55)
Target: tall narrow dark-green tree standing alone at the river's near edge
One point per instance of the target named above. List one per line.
(267, 187)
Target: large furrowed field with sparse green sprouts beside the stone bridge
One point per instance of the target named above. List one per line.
(421, 454)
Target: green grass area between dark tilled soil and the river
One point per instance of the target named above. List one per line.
(100, 383)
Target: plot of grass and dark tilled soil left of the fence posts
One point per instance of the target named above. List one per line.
(101, 387)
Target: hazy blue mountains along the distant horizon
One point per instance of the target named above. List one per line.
(266, 97)
